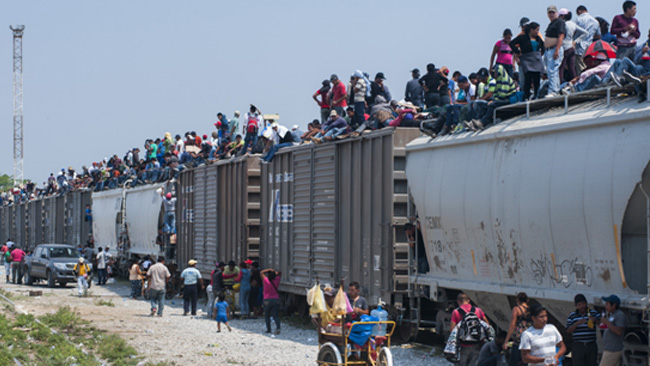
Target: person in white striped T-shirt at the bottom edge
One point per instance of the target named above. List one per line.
(542, 343)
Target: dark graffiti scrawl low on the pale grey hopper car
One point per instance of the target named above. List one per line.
(564, 273)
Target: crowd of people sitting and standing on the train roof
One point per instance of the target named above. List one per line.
(577, 52)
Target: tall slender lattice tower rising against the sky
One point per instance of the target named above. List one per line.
(18, 103)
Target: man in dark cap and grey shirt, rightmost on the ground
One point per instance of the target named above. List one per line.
(613, 336)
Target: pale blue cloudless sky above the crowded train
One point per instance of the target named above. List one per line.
(100, 77)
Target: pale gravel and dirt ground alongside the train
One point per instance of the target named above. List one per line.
(186, 340)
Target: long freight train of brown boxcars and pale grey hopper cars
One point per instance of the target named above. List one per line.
(551, 201)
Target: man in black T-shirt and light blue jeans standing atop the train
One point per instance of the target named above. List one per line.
(554, 51)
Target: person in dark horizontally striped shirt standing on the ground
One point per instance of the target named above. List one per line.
(582, 323)
